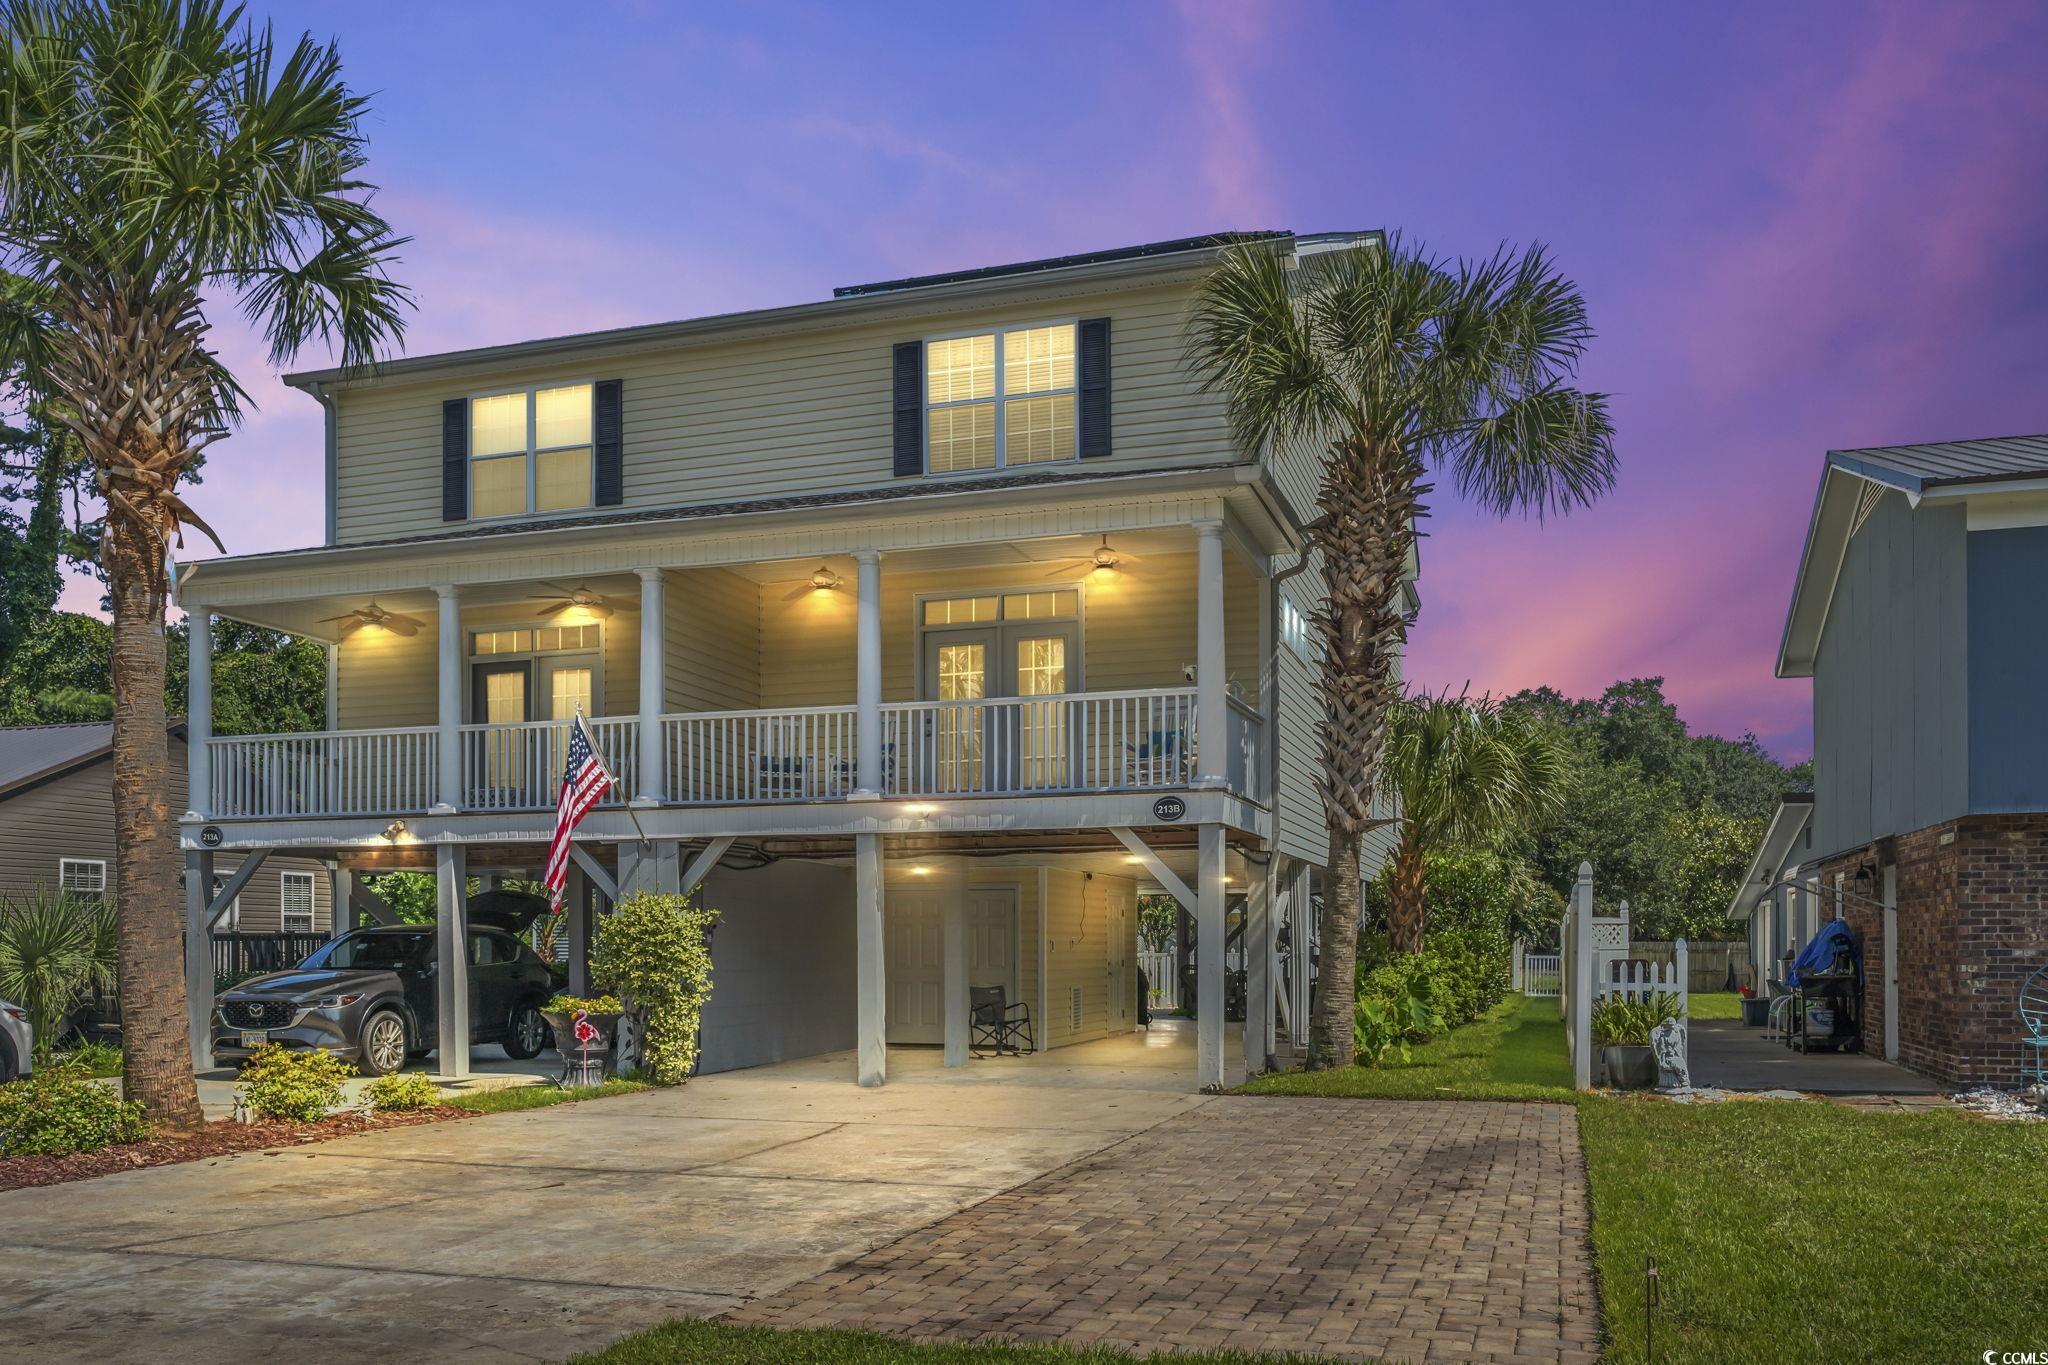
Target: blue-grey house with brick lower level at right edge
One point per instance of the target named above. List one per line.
(1922, 617)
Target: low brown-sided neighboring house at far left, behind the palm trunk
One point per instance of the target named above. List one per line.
(58, 830)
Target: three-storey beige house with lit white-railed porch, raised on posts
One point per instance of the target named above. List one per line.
(927, 625)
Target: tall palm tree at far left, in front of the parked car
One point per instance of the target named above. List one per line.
(155, 161)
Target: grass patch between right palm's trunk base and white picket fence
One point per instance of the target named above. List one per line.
(1517, 1051)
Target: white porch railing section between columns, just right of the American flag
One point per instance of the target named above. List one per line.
(759, 756)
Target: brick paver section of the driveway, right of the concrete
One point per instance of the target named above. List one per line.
(1355, 1229)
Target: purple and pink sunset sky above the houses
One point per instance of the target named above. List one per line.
(1799, 228)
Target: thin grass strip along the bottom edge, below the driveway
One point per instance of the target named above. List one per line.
(689, 1339)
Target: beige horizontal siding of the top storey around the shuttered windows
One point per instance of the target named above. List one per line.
(769, 419)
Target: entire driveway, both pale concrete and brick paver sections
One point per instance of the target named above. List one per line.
(1091, 1176)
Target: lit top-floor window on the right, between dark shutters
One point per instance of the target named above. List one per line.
(1000, 398)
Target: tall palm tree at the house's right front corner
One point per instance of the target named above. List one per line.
(1383, 363)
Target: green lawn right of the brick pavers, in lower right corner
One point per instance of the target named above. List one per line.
(1816, 1233)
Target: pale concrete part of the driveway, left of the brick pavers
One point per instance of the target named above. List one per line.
(540, 1235)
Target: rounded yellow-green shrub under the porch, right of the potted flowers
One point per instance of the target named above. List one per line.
(654, 953)
